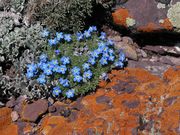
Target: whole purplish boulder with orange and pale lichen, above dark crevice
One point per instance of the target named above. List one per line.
(148, 16)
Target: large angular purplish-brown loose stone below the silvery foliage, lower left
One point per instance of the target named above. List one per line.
(33, 111)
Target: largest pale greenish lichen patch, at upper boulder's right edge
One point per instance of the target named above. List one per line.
(174, 15)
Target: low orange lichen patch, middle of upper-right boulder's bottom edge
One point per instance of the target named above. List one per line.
(150, 27)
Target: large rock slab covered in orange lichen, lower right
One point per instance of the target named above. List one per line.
(134, 102)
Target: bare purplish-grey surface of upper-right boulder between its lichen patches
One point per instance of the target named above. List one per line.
(149, 9)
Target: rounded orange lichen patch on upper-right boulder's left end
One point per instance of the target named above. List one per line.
(120, 16)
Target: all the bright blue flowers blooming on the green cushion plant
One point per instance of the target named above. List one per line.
(104, 55)
